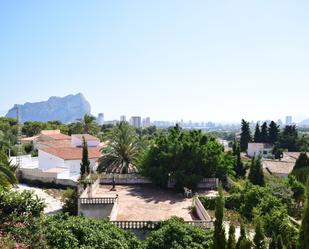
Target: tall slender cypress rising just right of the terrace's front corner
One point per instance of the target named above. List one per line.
(219, 240)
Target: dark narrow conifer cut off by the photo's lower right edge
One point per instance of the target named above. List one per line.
(303, 240)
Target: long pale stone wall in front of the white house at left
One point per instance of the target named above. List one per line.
(37, 175)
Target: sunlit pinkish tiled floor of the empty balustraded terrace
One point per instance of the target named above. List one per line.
(137, 203)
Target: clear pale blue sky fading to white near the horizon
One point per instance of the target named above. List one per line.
(170, 60)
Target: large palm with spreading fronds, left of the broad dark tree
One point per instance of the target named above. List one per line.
(120, 154)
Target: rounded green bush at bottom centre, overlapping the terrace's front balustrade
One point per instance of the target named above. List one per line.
(175, 234)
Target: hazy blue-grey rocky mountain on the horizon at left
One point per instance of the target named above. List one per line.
(66, 109)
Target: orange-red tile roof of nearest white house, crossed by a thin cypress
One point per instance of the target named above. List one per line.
(72, 153)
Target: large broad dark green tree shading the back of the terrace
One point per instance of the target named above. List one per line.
(185, 157)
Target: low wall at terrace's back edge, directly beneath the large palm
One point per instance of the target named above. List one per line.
(124, 179)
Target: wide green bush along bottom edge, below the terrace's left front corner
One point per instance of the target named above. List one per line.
(69, 232)
